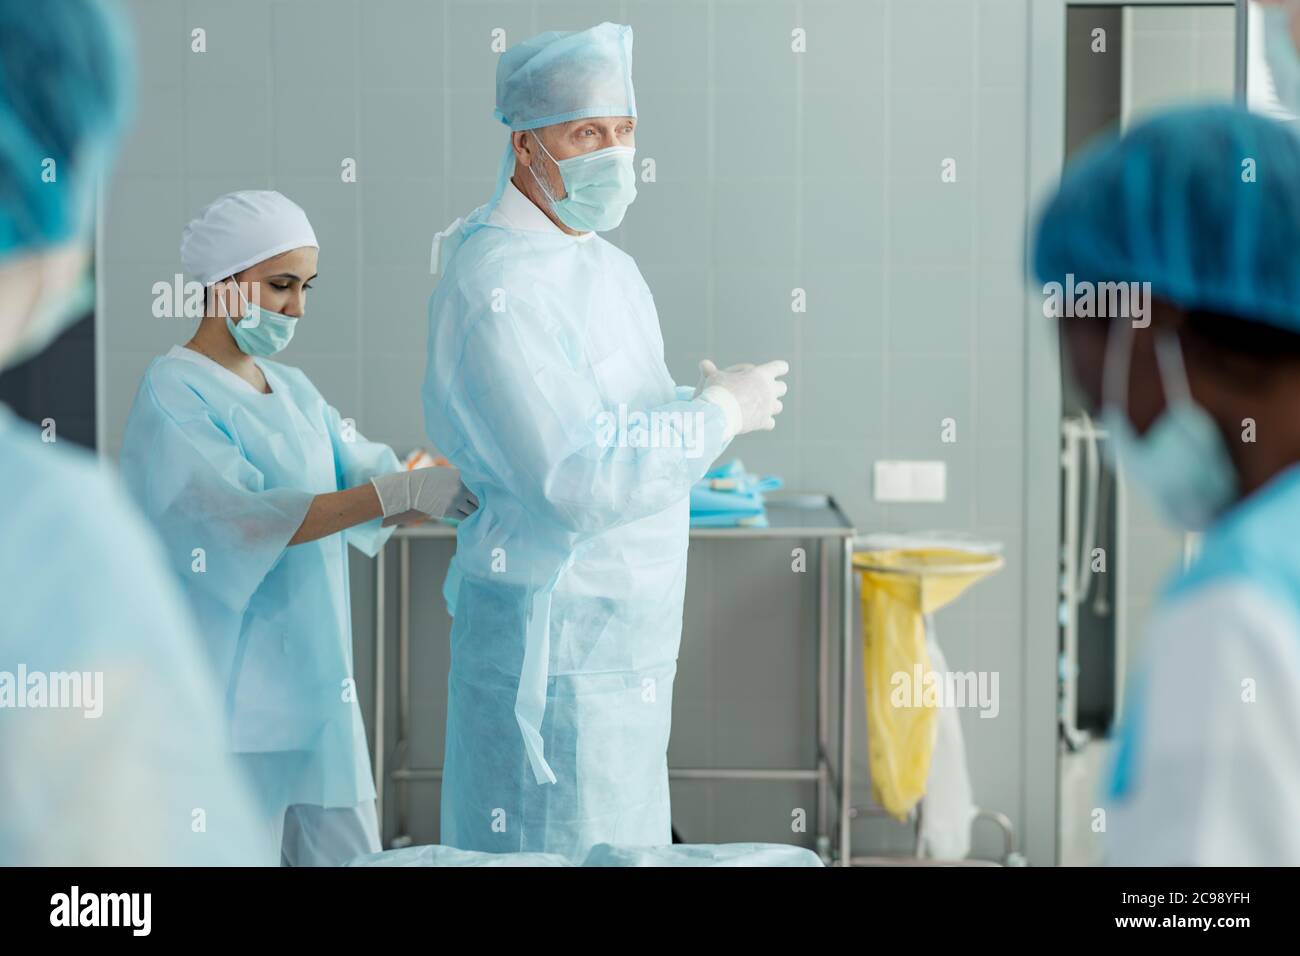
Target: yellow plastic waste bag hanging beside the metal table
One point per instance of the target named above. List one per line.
(900, 587)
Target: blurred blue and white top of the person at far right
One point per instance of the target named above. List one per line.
(1207, 769)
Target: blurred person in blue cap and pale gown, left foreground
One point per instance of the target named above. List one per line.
(111, 742)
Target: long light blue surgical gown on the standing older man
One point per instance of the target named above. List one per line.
(569, 582)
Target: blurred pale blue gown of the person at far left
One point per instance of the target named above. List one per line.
(140, 776)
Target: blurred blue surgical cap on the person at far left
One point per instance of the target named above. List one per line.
(64, 88)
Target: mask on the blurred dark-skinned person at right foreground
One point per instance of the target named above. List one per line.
(1182, 461)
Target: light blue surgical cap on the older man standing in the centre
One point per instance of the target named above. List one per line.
(557, 77)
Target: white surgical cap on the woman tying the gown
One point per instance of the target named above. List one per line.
(242, 230)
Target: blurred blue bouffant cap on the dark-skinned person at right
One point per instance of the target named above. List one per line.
(1202, 202)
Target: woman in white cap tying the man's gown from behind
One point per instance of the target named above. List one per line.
(257, 487)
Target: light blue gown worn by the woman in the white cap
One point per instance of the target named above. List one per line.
(227, 475)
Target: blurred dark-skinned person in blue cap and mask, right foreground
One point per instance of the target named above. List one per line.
(1198, 384)
